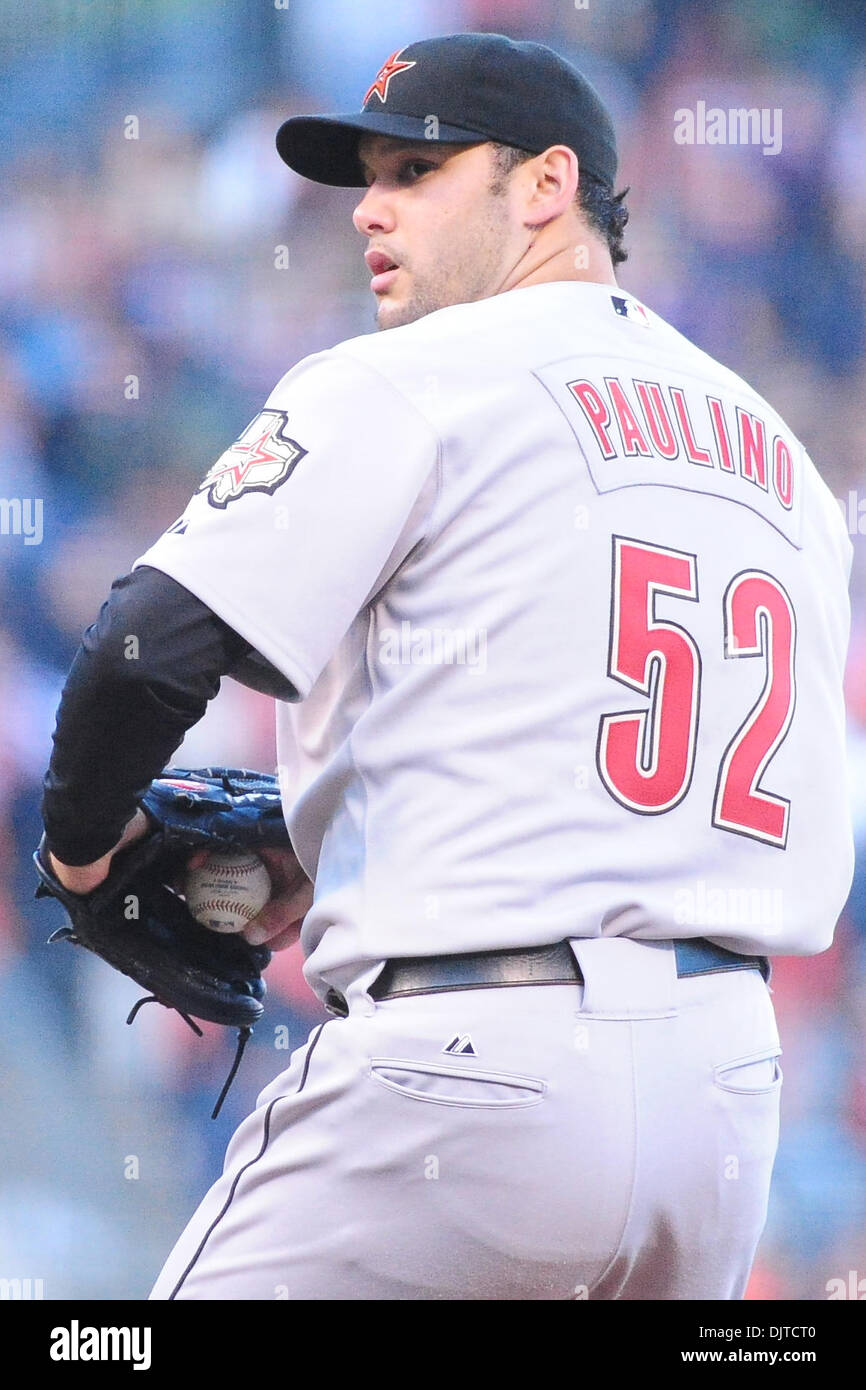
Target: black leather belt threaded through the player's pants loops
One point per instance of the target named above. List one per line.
(530, 965)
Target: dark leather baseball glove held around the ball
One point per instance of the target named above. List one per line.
(138, 922)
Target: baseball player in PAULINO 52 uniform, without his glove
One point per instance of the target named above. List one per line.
(555, 612)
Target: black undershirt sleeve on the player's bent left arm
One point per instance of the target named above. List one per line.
(141, 679)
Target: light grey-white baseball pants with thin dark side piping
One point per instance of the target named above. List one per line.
(608, 1140)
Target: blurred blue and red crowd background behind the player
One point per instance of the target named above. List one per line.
(161, 269)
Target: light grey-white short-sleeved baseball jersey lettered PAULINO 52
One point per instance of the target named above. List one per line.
(565, 607)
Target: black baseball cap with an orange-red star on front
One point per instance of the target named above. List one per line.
(461, 88)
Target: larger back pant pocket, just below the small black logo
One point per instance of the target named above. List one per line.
(440, 1085)
